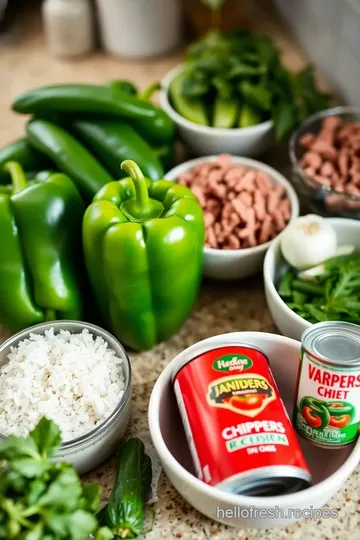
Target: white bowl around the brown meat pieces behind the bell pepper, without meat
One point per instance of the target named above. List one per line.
(230, 265)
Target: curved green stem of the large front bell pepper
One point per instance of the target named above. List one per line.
(141, 207)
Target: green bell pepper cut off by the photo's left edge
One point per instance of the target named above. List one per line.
(40, 228)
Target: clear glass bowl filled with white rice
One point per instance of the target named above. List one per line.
(74, 373)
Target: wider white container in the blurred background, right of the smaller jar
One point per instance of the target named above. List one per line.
(140, 28)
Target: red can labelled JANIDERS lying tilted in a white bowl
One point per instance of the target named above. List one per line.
(239, 433)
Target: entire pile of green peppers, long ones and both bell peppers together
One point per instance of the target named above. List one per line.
(127, 250)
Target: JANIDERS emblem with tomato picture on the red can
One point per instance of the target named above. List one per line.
(245, 394)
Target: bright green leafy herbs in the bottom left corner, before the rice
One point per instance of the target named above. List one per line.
(43, 500)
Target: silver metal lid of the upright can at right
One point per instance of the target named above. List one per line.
(334, 342)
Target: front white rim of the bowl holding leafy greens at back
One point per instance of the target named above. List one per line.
(209, 130)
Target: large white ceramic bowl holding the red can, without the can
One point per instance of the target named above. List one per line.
(329, 469)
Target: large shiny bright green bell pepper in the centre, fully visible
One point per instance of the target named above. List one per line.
(143, 244)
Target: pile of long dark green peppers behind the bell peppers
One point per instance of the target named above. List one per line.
(86, 131)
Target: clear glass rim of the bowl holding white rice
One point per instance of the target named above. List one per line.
(86, 438)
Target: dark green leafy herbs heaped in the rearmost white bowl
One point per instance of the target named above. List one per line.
(246, 69)
